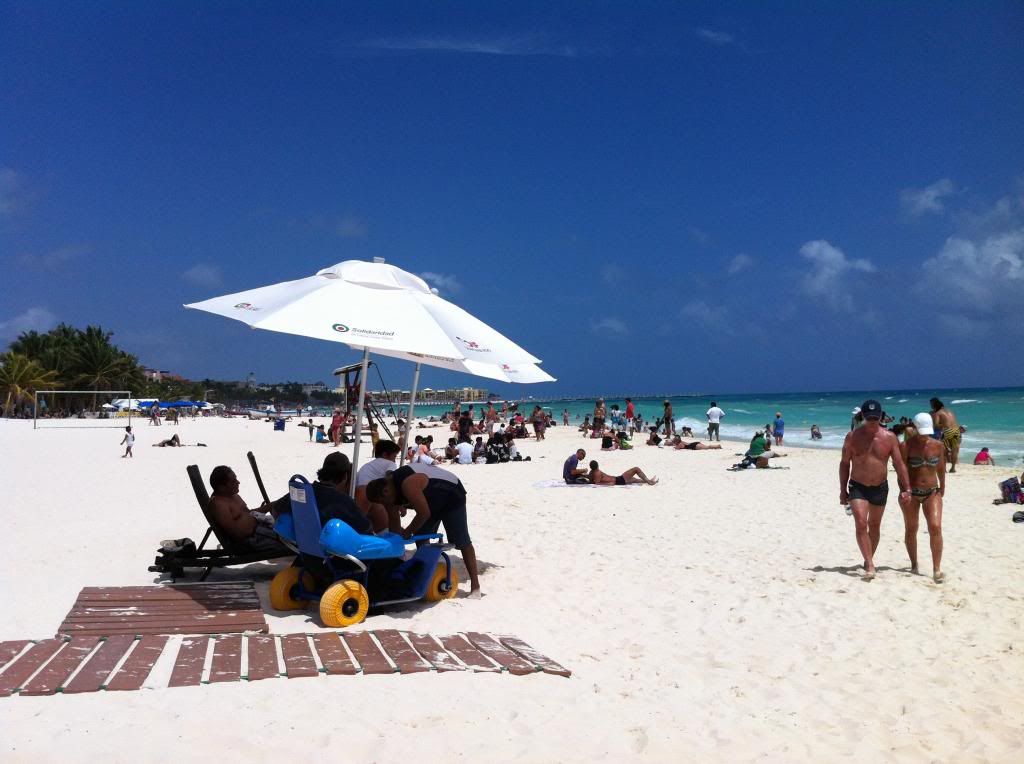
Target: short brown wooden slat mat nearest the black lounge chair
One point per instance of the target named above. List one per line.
(186, 609)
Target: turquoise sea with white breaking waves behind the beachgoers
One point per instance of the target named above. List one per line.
(995, 417)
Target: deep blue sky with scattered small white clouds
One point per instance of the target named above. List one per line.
(651, 197)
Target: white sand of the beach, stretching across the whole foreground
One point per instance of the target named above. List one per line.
(717, 617)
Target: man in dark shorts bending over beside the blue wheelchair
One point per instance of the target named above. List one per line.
(438, 497)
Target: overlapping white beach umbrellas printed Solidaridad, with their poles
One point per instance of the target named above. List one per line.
(379, 308)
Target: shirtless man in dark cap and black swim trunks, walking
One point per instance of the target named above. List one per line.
(868, 450)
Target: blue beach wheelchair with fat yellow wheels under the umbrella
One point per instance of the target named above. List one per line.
(349, 573)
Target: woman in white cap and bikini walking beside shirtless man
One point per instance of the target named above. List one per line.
(926, 460)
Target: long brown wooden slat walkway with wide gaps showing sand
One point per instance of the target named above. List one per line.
(121, 662)
